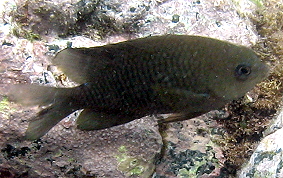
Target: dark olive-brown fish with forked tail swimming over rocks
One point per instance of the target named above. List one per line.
(184, 75)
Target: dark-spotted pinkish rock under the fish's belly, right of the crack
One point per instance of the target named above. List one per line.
(189, 150)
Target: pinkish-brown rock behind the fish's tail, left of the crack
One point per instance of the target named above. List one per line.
(65, 151)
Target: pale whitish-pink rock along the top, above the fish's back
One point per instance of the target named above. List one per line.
(36, 19)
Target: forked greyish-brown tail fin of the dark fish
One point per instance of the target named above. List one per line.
(59, 101)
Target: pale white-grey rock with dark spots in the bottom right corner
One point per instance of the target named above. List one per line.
(266, 161)
